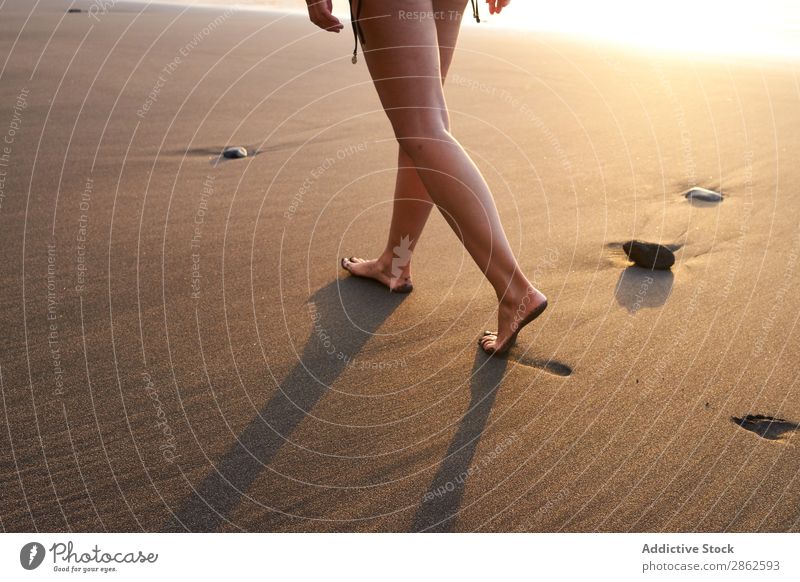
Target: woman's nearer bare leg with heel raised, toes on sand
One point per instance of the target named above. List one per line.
(402, 55)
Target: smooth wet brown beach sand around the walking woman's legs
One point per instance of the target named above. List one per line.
(180, 349)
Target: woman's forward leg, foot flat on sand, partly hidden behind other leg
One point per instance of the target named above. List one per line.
(412, 204)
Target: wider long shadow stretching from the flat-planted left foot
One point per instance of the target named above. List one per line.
(345, 313)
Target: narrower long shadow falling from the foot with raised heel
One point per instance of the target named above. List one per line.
(440, 505)
